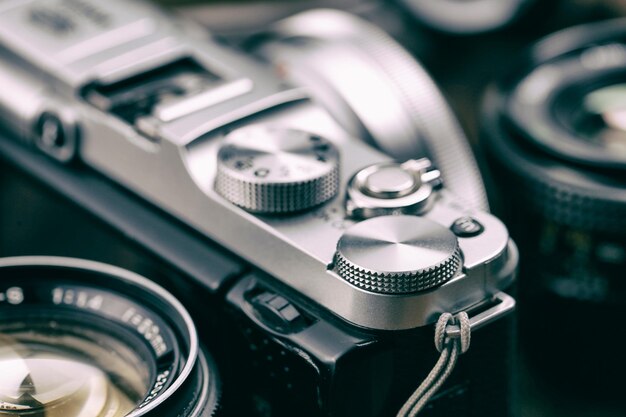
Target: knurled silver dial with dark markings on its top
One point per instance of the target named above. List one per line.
(269, 170)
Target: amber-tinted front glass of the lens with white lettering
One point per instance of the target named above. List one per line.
(59, 369)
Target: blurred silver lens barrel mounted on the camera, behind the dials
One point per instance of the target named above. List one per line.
(376, 91)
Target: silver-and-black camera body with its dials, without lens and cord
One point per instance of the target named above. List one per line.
(313, 264)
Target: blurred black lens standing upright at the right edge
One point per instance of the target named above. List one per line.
(555, 135)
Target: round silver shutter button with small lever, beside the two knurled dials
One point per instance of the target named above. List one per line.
(392, 188)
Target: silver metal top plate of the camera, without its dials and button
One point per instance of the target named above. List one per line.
(174, 166)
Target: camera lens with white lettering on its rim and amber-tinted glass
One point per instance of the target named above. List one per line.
(79, 338)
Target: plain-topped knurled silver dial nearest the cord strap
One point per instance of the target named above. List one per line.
(398, 255)
